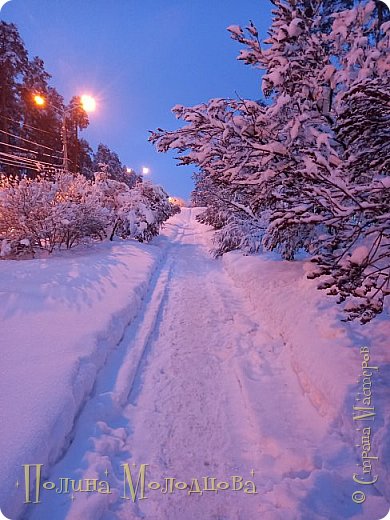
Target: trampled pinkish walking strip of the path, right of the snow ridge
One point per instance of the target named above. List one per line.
(207, 406)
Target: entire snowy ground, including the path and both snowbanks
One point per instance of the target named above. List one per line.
(231, 368)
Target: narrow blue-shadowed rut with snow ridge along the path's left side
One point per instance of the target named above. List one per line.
(98, 438)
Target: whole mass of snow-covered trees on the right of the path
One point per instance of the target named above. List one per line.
(310, 169)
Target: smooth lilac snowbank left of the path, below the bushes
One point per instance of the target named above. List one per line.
(59, 318)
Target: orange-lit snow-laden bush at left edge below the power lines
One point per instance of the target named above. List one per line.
(47, 214)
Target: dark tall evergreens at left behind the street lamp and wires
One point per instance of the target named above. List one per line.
(31, 135)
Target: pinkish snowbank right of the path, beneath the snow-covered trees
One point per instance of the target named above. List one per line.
(324, 354)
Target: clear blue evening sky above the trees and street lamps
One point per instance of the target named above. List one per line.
(139, 58)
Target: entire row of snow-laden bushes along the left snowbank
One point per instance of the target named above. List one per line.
(63, 211)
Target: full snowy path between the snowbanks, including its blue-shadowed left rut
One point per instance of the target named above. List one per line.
(196, 388)
